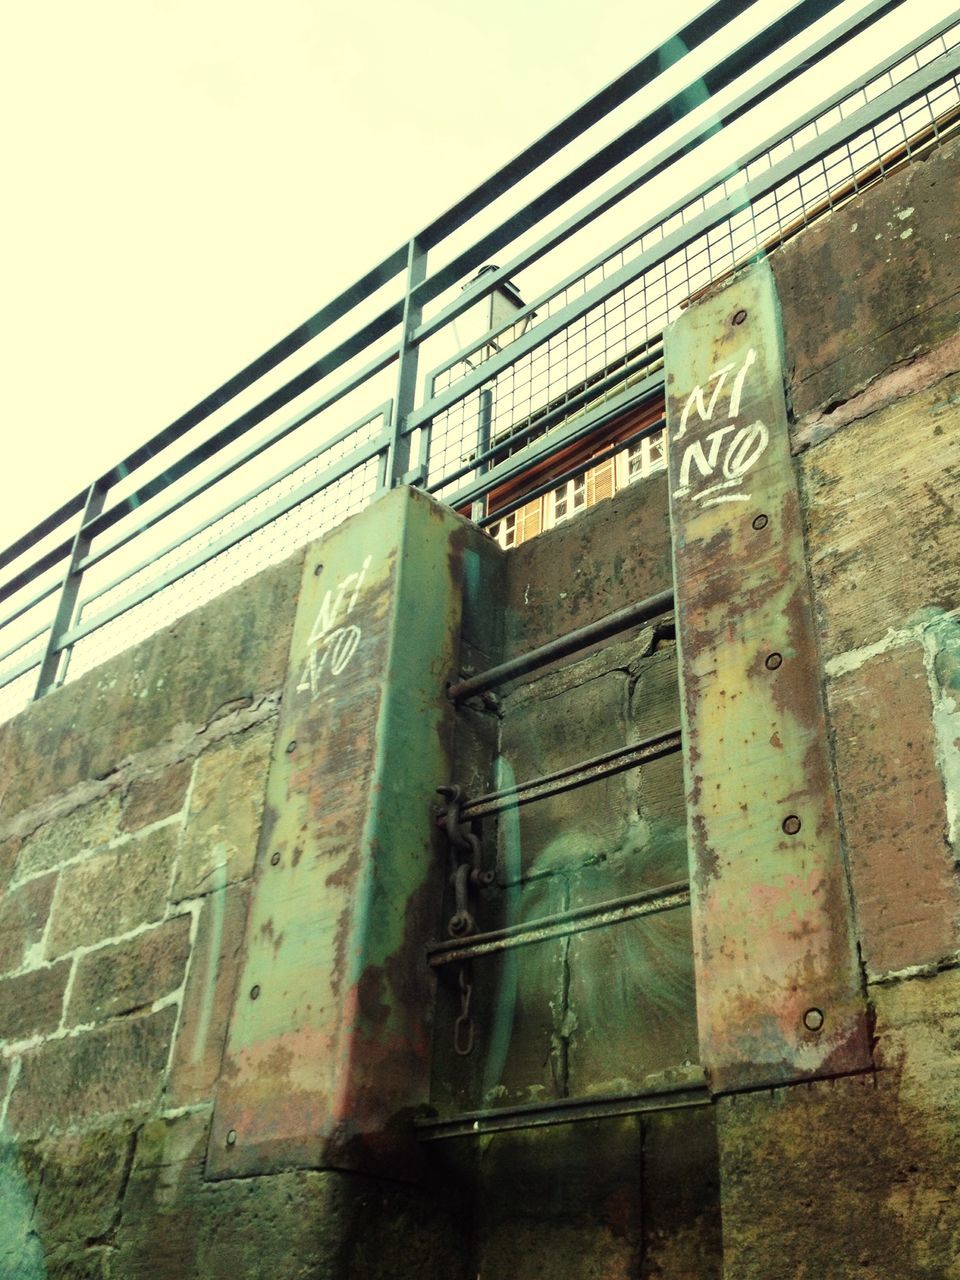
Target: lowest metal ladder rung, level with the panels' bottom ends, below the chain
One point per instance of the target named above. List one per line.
(541, 1116)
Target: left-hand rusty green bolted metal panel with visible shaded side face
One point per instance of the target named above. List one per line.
(328, 1048)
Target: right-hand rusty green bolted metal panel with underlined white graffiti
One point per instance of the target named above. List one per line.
(779, 985)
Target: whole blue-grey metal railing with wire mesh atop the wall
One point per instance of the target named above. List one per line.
(614, 243)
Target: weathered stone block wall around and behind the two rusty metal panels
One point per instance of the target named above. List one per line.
(131, 819)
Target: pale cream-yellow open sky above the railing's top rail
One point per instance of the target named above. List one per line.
(189, 180)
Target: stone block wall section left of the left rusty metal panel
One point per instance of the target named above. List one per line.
(131, 816)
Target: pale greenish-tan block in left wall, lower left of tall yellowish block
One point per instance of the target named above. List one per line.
(113, 893)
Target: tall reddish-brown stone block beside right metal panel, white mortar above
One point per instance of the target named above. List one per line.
(894, 812)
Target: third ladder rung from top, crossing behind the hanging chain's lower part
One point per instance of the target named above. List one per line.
(579, 920)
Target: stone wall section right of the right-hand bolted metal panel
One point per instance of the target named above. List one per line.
(867, 1168)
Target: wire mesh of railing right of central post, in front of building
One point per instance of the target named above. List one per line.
(621, 333)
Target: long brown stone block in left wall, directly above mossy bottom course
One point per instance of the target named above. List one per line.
(89, 1077)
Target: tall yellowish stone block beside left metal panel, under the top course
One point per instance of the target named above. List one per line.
(220, 842)
